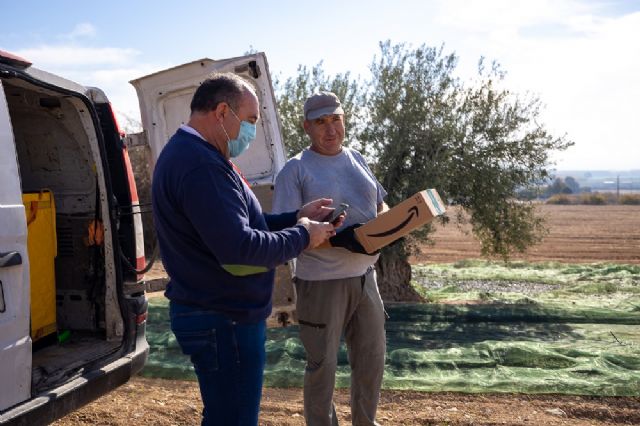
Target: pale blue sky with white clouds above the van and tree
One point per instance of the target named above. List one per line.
(581, 57)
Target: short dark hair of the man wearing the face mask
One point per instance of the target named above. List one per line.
(220, 87)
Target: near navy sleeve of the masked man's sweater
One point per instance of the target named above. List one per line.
(215, 204)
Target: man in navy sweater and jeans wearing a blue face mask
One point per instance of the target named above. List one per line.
(220, 250)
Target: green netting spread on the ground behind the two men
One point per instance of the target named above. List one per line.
(558, 339)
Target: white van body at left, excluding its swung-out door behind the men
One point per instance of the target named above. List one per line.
(72, 302)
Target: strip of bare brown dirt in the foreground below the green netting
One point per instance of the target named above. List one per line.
(167, 402)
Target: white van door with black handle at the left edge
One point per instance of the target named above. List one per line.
(15, 342)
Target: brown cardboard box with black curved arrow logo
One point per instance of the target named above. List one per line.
(410, 214)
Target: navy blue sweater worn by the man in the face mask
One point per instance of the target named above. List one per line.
(217, 246)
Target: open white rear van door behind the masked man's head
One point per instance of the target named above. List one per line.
(165, 99)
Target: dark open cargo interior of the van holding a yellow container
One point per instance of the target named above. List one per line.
(60, 156)
